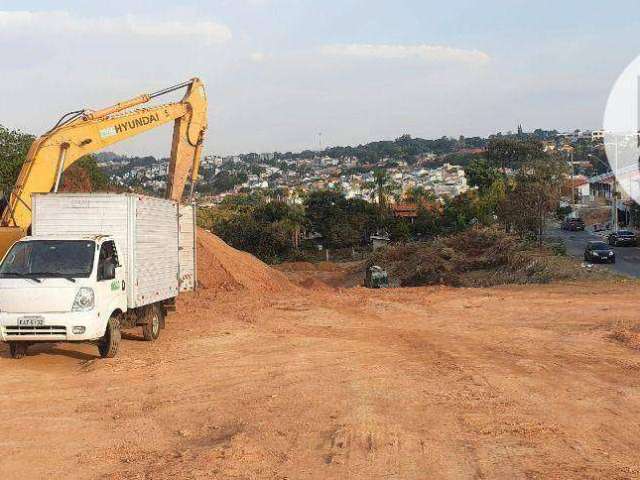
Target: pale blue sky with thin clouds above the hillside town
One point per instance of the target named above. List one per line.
(280, 71)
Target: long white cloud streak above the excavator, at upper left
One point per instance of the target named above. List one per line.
(60, 22)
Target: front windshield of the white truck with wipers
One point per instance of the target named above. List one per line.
(49, 258)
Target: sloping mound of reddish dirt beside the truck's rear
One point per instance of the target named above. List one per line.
(221, 267)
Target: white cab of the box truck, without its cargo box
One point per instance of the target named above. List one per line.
(60, 289)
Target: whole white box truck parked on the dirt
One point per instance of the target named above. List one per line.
(94, 264)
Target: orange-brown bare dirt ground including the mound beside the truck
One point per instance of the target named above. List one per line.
(266, 374)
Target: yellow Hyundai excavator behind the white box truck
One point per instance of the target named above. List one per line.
(83, 132)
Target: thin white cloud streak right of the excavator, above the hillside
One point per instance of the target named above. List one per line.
(426, 53)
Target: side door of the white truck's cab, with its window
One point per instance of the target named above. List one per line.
(111, 289)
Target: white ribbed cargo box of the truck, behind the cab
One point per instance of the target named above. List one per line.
(148, 232)
